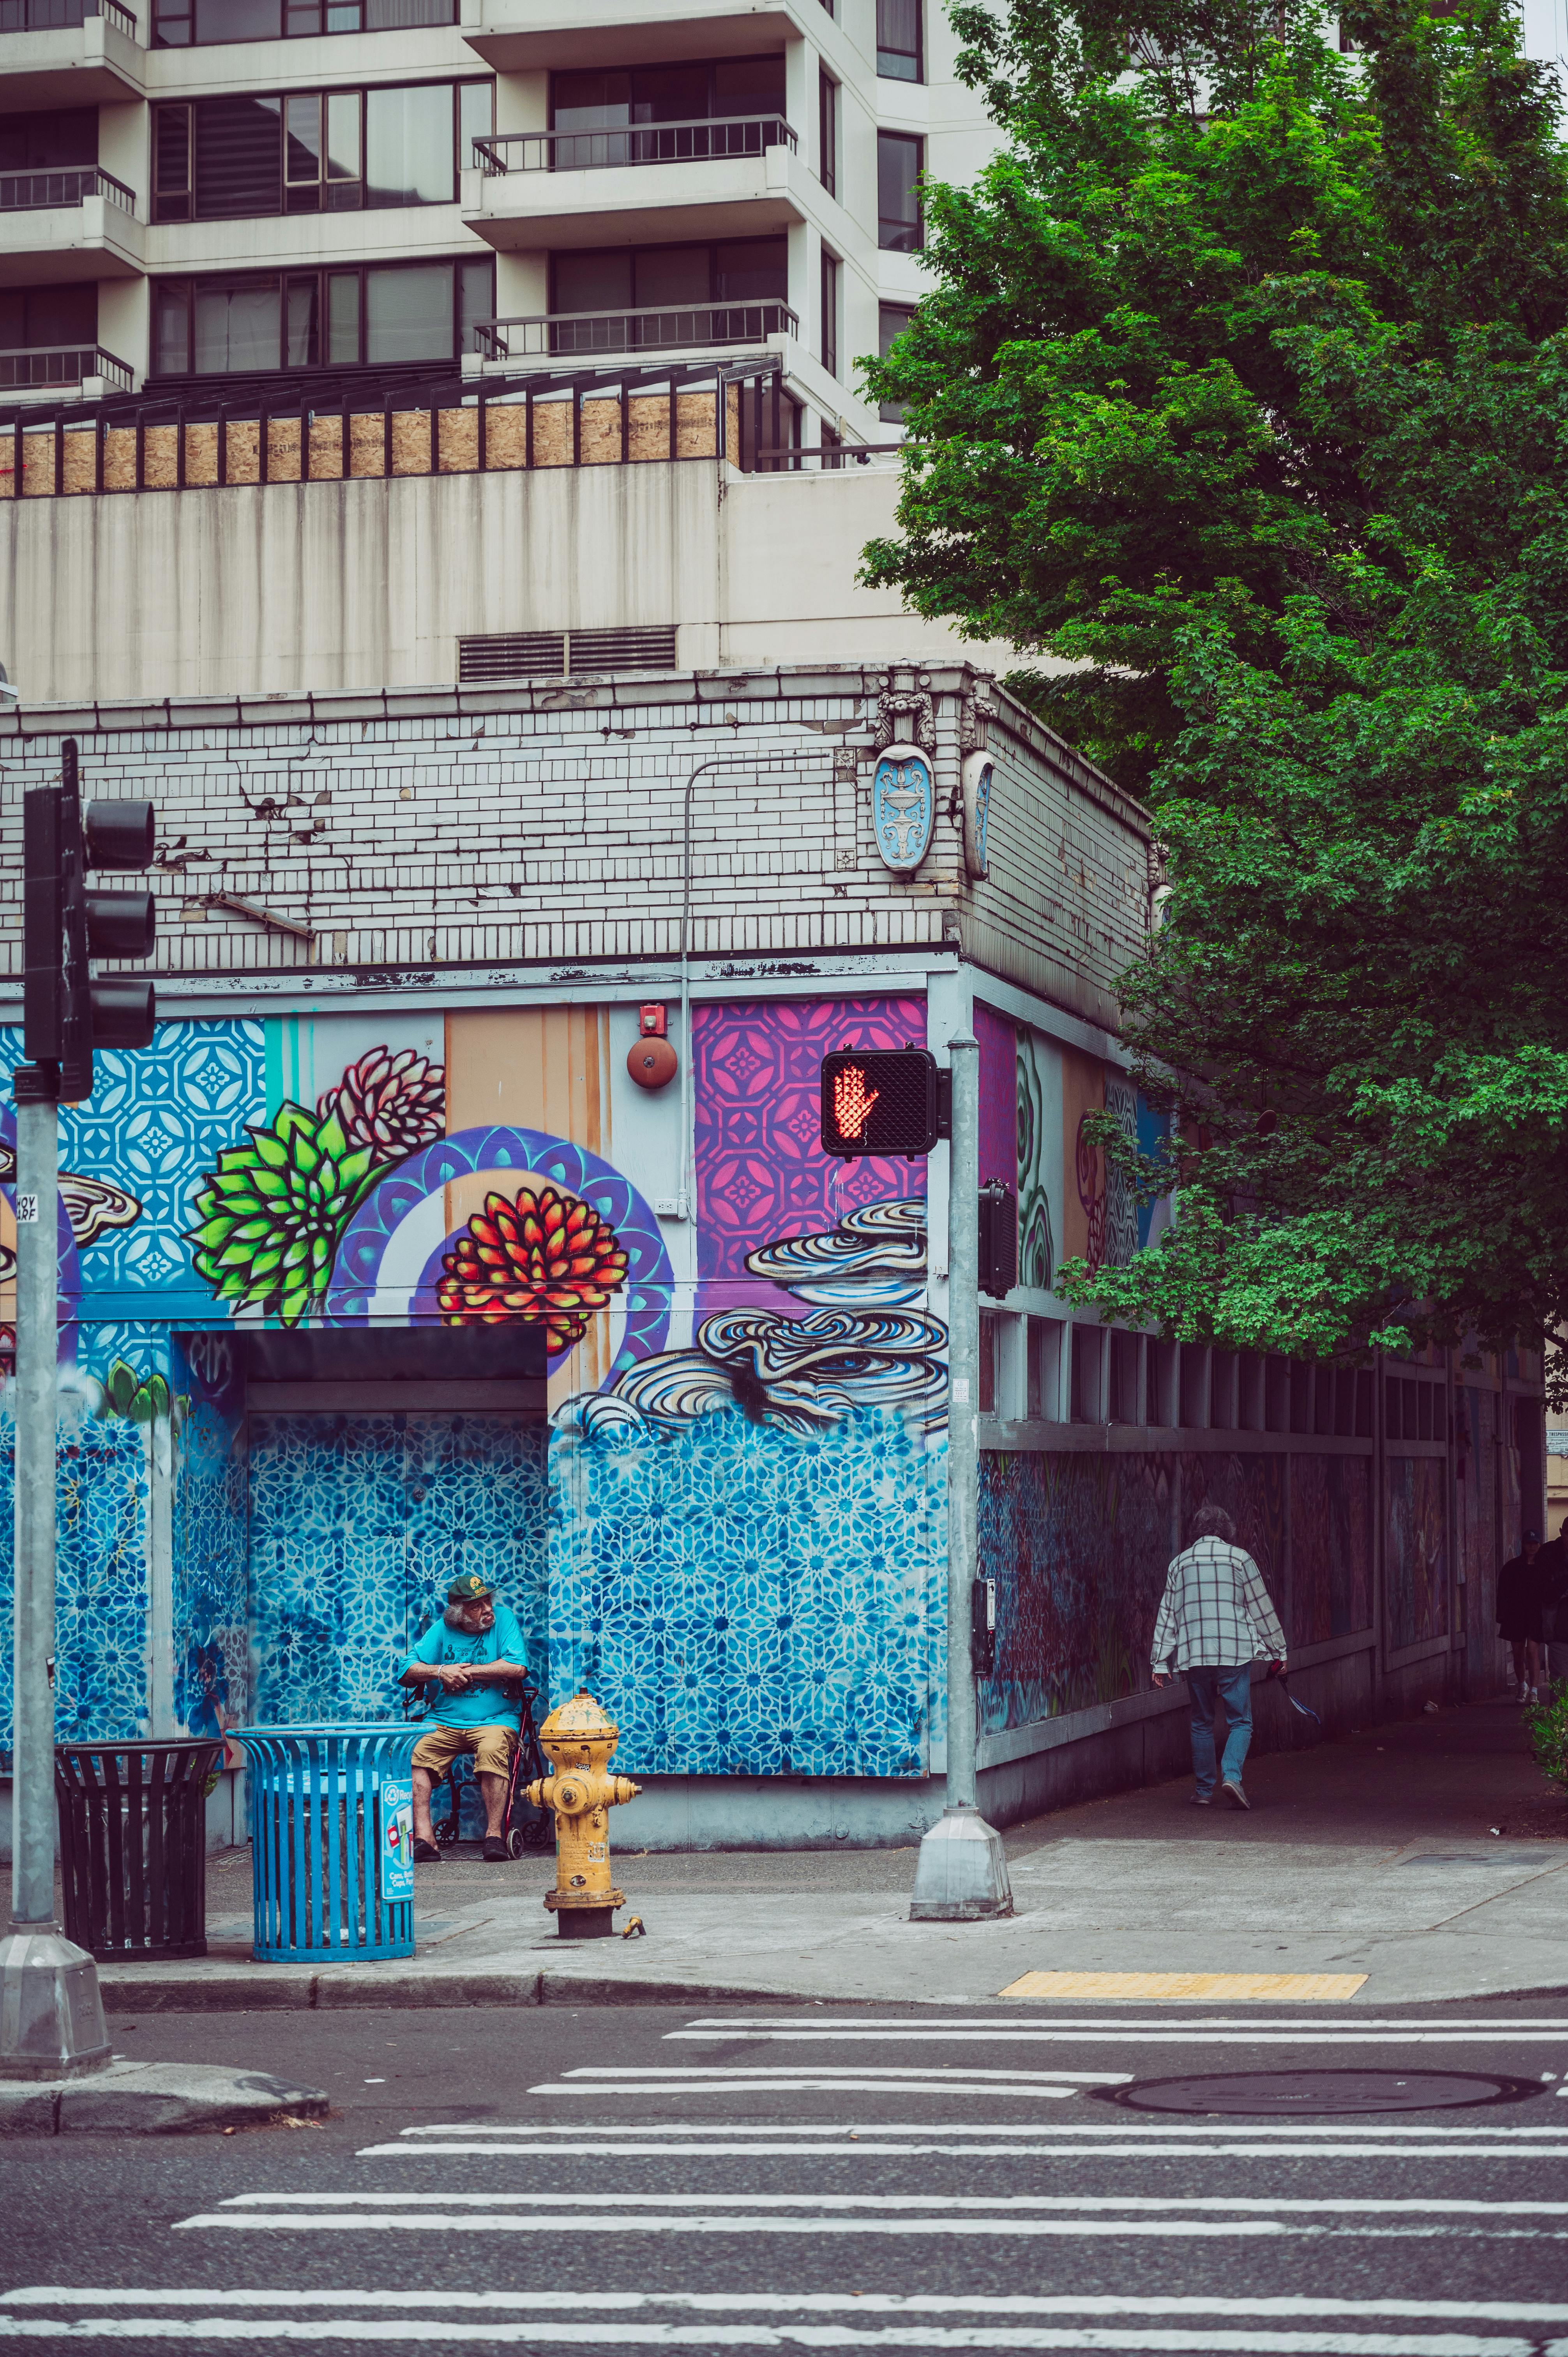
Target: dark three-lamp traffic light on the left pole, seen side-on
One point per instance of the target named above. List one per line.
(67, 1015)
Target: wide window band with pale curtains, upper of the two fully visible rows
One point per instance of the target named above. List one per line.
(315, 150)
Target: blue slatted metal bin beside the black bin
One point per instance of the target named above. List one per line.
(331, 1828)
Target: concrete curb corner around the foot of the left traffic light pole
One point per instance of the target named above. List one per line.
(154, 2099)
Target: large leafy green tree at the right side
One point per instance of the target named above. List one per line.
(1241, 409)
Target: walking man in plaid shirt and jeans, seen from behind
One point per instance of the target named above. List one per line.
(1215, 1618)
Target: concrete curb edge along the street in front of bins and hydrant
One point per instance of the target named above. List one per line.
(331, 1993)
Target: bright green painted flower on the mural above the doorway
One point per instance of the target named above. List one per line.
(272, 1213)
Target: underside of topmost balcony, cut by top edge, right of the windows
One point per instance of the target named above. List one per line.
(520, 37)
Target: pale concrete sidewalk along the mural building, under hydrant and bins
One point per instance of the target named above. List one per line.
(1428, 1856)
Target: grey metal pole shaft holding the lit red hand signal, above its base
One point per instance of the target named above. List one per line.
(966, 1406)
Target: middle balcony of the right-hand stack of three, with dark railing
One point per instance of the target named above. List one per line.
(638, 185)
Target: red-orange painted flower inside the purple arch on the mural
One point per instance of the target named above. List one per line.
(546, 1260)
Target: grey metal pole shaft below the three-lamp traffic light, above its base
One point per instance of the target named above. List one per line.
(37, 1394)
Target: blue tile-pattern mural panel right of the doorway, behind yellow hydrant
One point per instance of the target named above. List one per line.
(746, 1599)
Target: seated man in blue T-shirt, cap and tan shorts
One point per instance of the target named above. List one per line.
(470, 1658)
